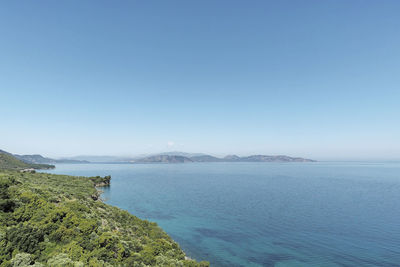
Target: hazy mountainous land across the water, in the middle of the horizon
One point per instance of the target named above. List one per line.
(170, 158)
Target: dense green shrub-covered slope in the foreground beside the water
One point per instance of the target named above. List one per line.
(54, 220)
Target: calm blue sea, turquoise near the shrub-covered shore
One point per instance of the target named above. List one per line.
(265, 214)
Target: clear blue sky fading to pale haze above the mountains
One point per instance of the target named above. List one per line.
(317, 79)
